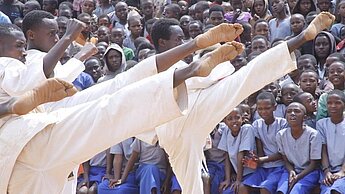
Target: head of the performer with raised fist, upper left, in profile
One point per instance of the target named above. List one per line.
(41, 30)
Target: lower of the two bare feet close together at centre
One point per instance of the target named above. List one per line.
(223, 53)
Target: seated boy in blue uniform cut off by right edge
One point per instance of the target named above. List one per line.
(332, 130)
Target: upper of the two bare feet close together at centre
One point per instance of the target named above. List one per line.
(221, 33)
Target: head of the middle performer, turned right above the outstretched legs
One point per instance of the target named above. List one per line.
(166, 34)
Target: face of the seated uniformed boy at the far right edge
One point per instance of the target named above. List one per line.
(335, 105)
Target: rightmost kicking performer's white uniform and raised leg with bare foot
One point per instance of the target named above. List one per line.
(211, 99)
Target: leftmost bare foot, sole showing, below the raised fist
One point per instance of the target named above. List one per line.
(50, 91)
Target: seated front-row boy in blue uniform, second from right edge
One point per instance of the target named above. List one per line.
(300, 147)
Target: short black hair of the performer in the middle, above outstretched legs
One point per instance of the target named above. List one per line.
(161, 30)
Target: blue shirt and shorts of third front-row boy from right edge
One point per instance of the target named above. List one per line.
(267, 176)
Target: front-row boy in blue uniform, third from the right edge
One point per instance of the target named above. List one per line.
(269, 161)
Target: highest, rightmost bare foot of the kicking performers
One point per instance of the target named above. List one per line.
(319, 23)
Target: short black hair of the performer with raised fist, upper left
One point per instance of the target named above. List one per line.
(34, 19)
